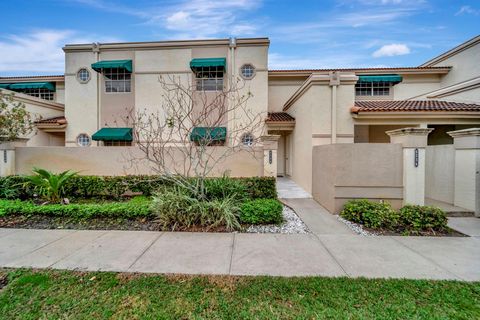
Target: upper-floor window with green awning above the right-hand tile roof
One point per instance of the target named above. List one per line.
(376, 85)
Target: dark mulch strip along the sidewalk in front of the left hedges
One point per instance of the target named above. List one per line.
(47, 222)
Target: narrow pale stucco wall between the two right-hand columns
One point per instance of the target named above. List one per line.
(440, 173)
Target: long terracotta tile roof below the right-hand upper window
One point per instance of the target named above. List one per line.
(413, 106)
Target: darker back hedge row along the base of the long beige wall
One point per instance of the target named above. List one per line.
(113, 187)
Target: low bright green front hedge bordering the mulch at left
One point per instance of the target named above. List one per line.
(136, 208)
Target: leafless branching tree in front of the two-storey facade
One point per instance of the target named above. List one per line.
(194, 130)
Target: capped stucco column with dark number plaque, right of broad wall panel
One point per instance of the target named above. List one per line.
(414, 142)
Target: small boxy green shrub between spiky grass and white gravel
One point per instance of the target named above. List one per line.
(261, 211)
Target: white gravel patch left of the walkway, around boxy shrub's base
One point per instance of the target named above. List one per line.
(292, 224)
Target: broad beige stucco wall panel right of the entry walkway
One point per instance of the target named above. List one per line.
(357, 171)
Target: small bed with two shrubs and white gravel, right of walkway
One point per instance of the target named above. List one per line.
(379, 219)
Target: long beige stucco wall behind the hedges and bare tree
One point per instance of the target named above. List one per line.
(107, 161)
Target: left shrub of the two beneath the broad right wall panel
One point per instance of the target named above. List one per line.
(371, 214)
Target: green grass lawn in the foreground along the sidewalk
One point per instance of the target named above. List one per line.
(61, 294)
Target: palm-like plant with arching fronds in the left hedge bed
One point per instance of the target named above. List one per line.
(50, 185)
